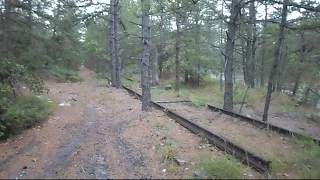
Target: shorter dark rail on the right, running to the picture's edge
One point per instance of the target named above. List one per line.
(262, 124)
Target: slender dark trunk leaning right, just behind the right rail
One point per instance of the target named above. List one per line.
(277, 56)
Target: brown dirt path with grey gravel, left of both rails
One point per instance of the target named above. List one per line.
(103, 134)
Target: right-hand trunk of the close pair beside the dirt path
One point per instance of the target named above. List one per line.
(117, 45)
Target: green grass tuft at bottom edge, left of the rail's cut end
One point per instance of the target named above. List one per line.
(221, 168)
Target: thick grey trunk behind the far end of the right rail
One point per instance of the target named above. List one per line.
(231, 35)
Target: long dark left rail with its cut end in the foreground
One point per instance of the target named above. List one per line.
(245, 156)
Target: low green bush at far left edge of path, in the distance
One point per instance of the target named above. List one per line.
(64, 75)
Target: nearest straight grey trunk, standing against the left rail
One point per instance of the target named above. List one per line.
(145, 83)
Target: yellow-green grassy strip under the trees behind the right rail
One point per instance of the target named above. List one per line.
(209, 93)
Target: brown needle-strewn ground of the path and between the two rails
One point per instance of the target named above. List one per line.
(104, 134)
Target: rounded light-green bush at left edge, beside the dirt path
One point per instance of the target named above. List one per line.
(23, 113)
